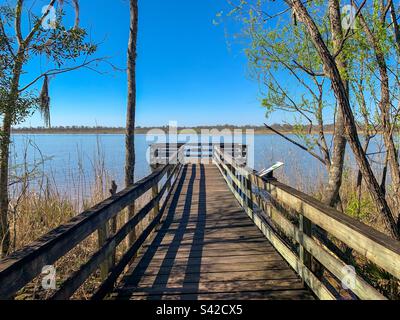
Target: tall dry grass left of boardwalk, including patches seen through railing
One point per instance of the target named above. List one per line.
(38, 205)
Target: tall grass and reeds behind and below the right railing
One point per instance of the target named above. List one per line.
(356, 202)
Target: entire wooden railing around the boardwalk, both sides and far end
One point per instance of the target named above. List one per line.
(288, 218)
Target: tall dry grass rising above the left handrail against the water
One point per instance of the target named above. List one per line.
(38, 204)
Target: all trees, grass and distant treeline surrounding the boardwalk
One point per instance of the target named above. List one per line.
(347, 77)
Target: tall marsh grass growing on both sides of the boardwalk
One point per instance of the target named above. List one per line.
(38, 206)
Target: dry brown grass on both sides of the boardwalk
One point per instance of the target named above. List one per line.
(37, 210)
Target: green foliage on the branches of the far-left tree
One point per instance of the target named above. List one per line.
(59, 47)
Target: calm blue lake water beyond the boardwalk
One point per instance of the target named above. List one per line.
(69, 159)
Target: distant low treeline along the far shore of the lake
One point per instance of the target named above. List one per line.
(285, 128)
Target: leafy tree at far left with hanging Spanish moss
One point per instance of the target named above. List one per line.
(47, 38)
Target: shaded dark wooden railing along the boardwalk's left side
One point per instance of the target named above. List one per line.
(24, 265)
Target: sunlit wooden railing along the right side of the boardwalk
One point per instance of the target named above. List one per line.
(290, 219)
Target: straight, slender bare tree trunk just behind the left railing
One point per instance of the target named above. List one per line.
(131, 110)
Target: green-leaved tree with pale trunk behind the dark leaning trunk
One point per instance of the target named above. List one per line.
(282, 54)
